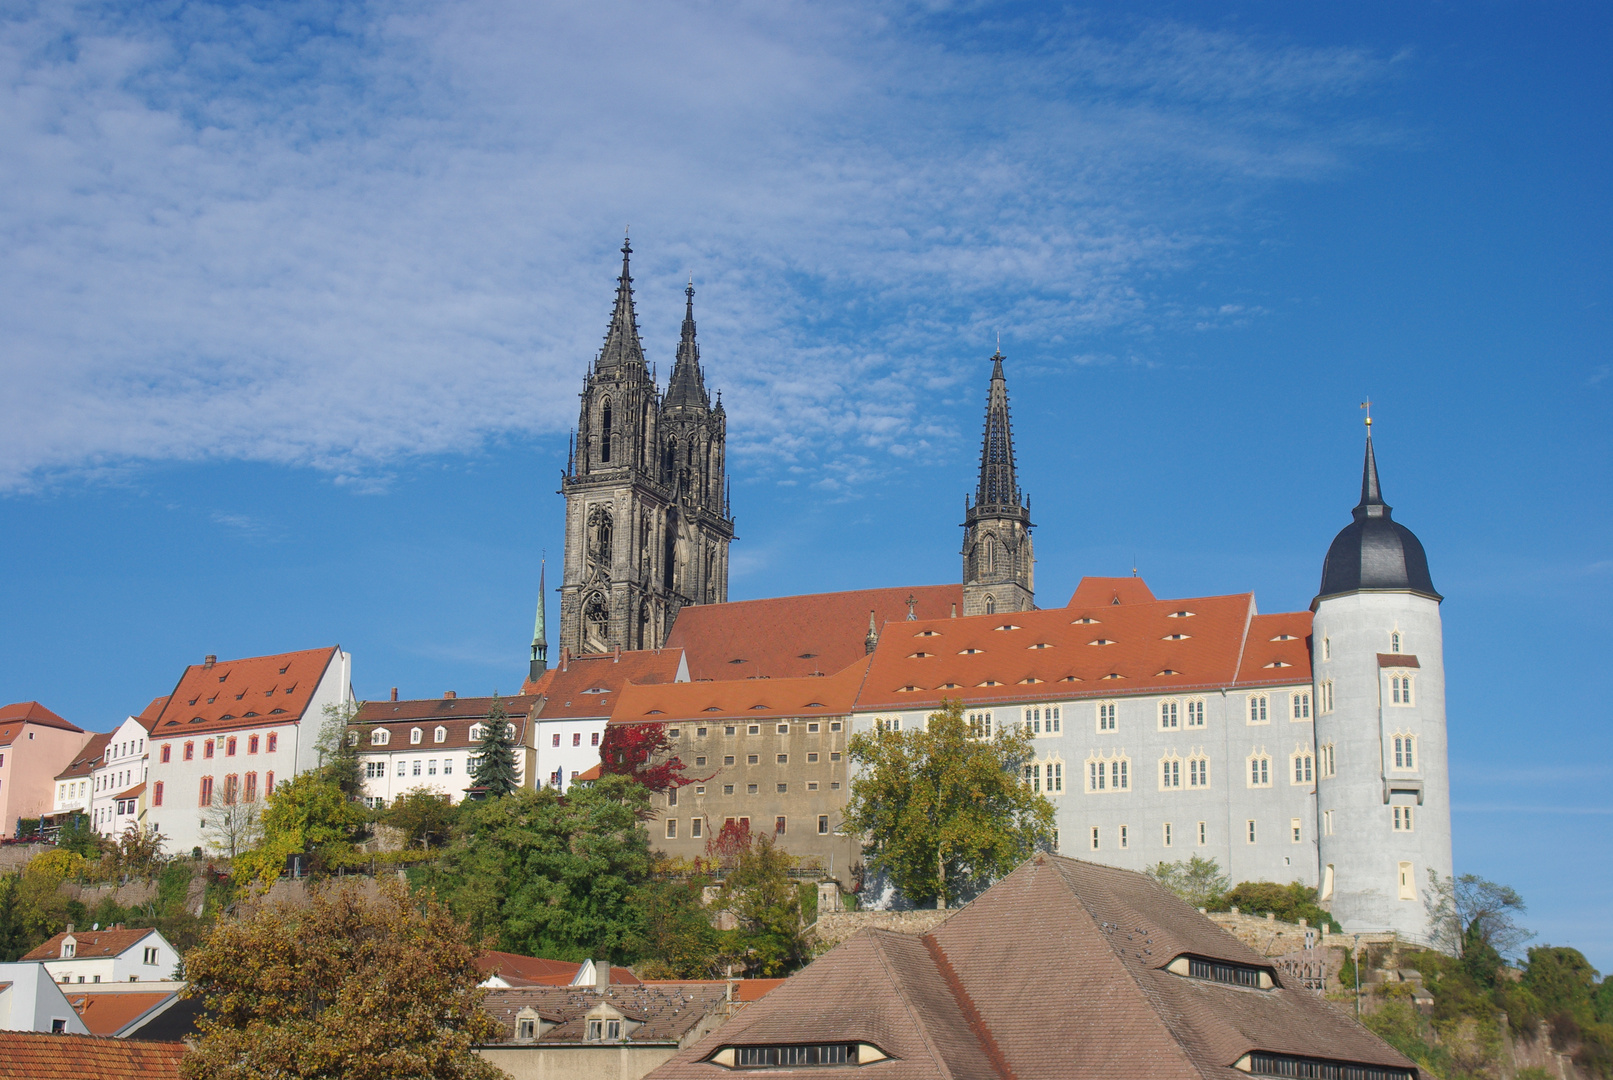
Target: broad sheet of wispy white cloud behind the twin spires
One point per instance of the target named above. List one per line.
(340, 236)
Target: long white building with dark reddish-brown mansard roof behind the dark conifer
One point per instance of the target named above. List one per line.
(431, 744)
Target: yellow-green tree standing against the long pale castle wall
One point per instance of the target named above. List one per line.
(946, 812)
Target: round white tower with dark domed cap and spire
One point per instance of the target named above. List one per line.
(1383, 791)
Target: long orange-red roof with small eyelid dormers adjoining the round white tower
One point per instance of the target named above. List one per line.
(1088, 652)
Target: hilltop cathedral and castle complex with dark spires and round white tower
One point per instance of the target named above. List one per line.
(1290, 747)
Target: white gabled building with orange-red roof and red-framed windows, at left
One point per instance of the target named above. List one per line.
(235, 729)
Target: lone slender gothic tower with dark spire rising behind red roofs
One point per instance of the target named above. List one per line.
(999, 568)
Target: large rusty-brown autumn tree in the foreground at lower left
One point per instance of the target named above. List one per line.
(349, 987)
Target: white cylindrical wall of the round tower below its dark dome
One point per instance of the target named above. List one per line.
(1364, 850)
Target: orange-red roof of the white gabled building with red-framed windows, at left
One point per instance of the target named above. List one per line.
(249, 692)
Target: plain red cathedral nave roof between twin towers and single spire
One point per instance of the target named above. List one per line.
(796, 636)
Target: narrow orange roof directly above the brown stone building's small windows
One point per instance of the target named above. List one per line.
(744, 699)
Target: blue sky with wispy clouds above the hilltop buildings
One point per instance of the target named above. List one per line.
(298, 299)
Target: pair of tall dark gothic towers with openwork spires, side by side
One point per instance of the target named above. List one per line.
(648, 526)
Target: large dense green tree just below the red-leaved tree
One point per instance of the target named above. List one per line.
(554, 876)
